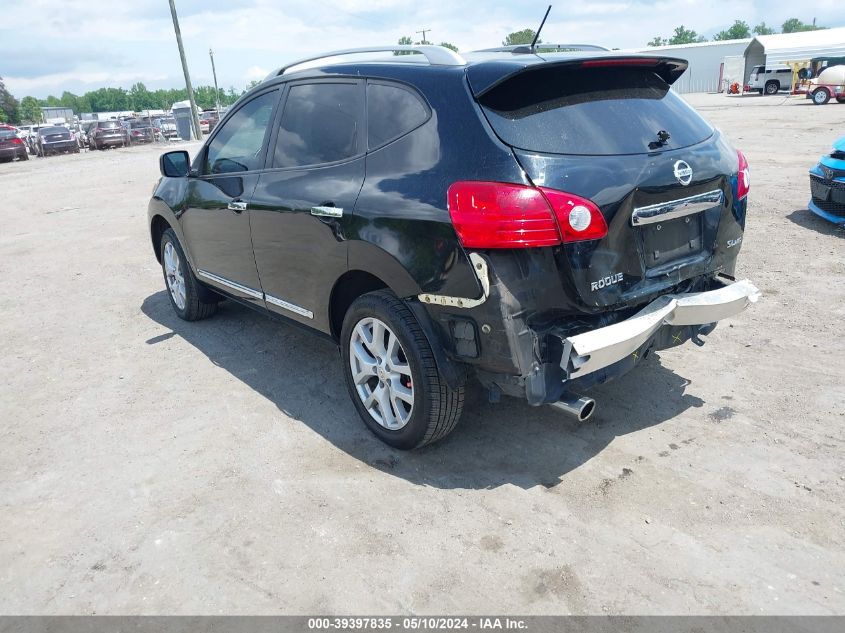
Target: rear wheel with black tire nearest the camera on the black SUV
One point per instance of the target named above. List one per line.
(391, 374)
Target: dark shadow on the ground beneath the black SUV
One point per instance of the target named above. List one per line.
(494, 444)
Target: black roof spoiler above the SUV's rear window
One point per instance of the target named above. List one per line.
(483, 77)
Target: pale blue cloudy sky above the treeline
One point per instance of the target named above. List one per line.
(49, 46)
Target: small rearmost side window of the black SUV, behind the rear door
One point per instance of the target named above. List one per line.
(392, 111)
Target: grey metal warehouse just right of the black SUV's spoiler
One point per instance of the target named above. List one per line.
(708, 65)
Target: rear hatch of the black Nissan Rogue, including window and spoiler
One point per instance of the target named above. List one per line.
(613, 132)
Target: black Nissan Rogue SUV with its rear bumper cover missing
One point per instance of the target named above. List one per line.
(537, 222)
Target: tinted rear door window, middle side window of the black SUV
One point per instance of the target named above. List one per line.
(321, 123)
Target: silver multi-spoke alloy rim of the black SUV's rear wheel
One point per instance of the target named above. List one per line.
(381, 373)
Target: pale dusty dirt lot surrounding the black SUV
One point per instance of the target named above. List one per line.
(154, 466)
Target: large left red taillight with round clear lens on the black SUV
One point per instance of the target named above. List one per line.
(506, 215)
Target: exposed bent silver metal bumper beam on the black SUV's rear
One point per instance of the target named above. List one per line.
(591, 351)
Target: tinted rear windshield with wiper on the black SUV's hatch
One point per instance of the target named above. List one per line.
(596, 111)
